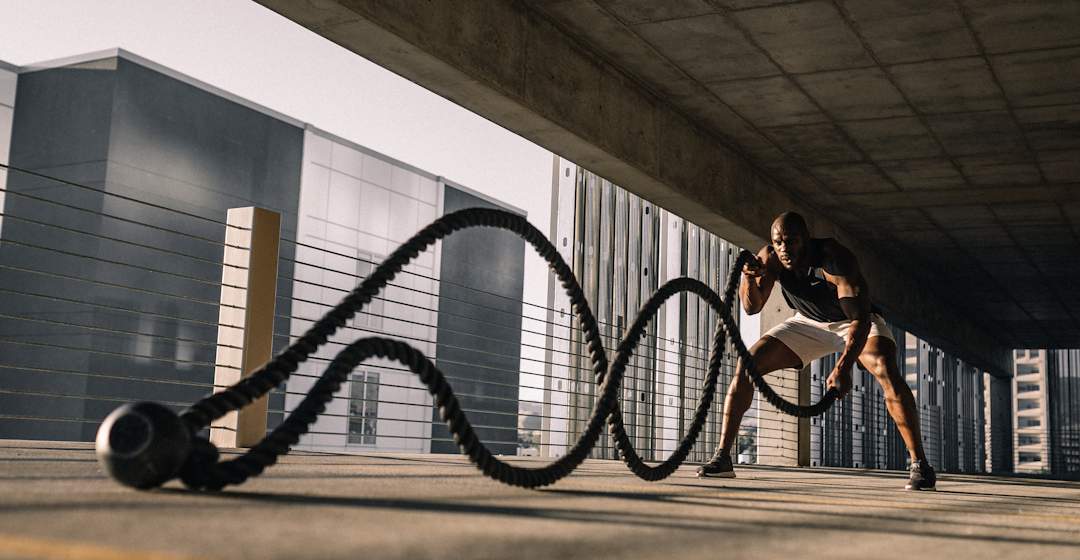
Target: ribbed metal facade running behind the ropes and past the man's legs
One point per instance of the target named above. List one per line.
(623, 249)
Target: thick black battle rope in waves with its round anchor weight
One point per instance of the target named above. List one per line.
(145, 445)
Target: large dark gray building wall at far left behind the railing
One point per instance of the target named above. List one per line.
(120, 128)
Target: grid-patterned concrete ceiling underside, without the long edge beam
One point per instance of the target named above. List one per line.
(946, 134)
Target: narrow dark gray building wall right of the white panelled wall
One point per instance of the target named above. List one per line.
(479, 339)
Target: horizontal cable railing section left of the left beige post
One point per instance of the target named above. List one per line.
(104, 299)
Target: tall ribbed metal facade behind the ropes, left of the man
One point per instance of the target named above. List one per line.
(623, 249)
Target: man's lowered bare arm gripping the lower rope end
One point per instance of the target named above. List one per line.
(842, 269)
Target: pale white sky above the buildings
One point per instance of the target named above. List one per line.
(252, 52)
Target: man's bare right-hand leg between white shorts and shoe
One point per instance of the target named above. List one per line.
(880, 359)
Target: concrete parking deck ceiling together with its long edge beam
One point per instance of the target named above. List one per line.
(941, 139)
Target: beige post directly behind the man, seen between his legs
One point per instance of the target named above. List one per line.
(782, 440)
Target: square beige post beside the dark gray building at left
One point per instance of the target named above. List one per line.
(250, 283)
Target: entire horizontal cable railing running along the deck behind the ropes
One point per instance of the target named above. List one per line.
(125, 304)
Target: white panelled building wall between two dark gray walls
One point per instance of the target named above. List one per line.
(357, 207)
